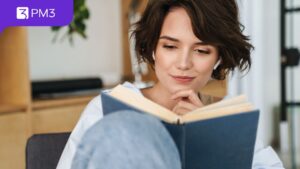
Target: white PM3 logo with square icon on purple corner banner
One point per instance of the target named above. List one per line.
(25, 13)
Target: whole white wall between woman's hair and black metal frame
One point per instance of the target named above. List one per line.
(261, 84)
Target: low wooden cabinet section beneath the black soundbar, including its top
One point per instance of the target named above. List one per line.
(59, 115)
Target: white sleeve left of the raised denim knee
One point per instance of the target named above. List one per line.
(91, 114)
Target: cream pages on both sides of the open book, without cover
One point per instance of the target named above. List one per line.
(226, 107)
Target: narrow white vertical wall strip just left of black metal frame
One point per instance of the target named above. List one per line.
(270, 42)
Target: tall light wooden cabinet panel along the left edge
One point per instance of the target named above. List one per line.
(14, 97)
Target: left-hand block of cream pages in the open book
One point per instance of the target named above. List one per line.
(140, 102)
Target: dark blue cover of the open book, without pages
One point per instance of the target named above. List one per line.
(225, 142)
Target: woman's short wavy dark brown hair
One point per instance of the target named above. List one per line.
(216, 22)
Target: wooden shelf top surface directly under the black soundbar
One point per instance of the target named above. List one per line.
(48, 103)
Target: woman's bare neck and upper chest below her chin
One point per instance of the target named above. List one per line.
(160, 96)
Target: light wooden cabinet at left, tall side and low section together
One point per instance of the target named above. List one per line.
(20, 116)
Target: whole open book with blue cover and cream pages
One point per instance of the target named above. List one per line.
(217, 136)
